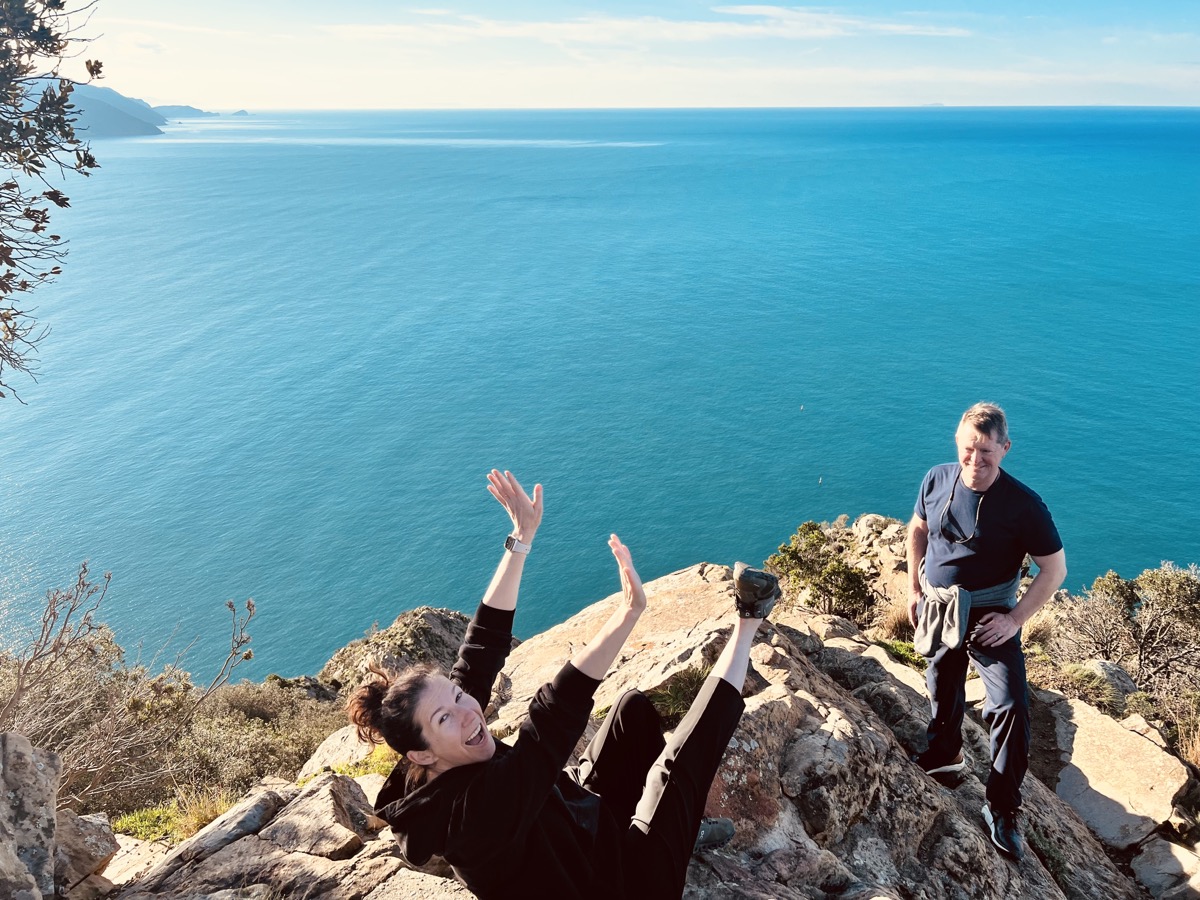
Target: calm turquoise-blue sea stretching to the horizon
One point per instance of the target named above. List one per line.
(287, 347)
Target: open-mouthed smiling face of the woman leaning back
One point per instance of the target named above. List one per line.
(453, 727)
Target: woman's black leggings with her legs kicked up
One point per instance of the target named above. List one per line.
(661, 787)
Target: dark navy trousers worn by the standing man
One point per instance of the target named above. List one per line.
(1006, 710)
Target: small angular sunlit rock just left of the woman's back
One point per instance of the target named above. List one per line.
(328, 819)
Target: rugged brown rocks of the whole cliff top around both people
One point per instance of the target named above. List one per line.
(818, 779)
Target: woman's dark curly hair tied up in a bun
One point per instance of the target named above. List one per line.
(385, 711)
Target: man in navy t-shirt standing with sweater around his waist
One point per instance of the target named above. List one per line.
(973, 527)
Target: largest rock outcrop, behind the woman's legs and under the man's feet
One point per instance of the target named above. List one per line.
(824, 795)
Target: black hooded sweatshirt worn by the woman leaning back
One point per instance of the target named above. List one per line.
(517, 826)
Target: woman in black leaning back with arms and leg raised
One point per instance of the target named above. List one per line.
(509, 820)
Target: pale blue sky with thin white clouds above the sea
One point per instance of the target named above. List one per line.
(295, 55)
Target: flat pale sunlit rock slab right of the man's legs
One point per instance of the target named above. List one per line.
(1120, 783)
